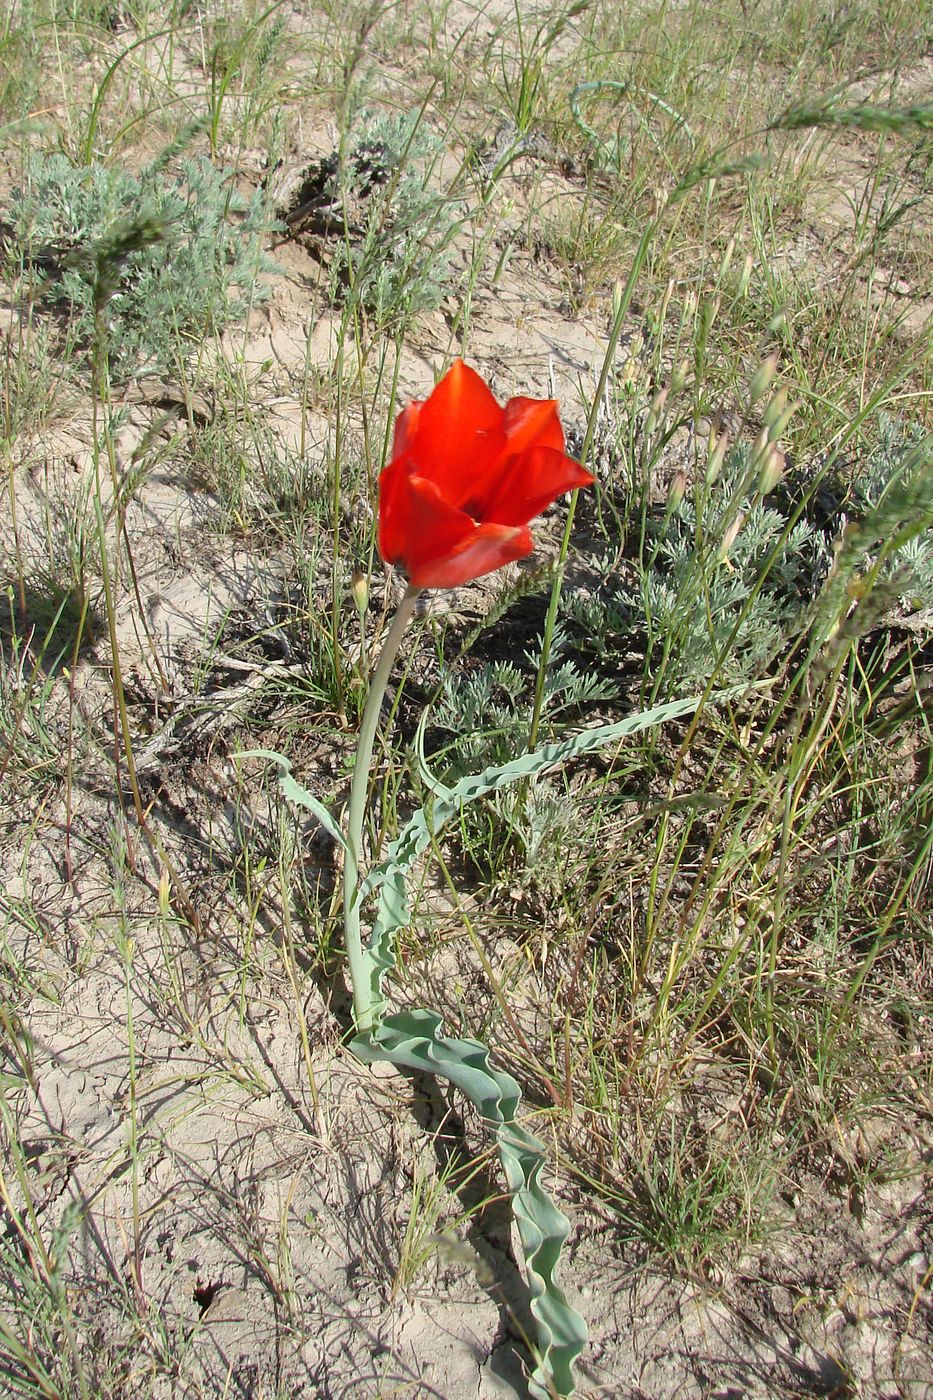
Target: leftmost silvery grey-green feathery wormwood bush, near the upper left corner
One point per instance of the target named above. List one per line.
(186, 285)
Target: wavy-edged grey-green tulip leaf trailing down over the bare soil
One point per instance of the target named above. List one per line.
(413, 1041)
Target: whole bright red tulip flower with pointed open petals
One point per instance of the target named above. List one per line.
(467, 478)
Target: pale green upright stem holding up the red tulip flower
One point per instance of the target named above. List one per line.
(357, 811)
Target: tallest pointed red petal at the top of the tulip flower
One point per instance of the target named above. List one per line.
(459, 433)
